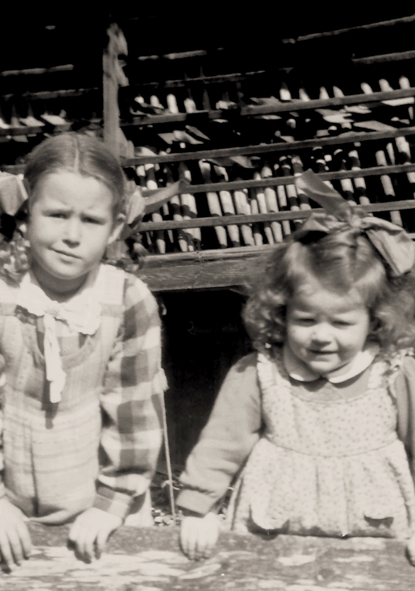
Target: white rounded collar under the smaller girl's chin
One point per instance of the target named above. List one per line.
(298, 370)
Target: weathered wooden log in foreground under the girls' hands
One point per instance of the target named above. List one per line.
(149, 559)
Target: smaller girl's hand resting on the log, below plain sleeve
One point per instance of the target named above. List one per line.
(198, 535)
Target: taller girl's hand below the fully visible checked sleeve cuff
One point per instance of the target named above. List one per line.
(90, 532)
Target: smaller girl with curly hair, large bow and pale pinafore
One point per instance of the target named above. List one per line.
(321, 418)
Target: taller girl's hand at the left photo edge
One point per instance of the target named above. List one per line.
(15, 543)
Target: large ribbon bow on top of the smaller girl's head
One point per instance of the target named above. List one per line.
(391, 241)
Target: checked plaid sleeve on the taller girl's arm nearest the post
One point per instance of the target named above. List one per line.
(132, 405)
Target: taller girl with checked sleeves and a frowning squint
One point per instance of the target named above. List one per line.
(81, 406)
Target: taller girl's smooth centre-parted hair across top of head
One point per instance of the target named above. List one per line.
(81, 154)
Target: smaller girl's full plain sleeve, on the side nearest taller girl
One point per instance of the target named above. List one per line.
(232, 430)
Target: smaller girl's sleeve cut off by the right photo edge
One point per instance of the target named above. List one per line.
(405, 393)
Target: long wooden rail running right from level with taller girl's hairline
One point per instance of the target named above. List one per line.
(346, 138)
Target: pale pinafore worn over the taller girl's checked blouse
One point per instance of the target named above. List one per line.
(50, 450)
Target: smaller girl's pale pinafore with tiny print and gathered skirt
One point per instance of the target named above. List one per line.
(326, 465)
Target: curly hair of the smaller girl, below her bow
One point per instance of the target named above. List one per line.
(340, 261)
